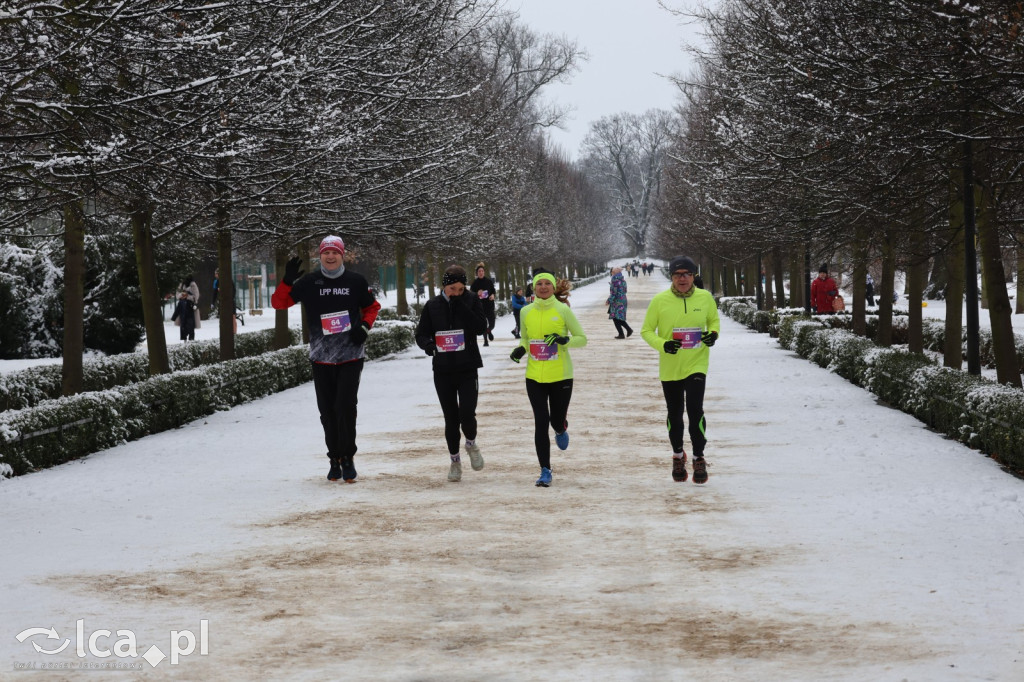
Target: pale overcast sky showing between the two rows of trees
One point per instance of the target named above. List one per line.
(629, 42)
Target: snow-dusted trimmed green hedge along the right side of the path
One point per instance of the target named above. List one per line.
(973, 410)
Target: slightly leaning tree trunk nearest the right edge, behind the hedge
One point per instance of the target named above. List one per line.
(1007, 369)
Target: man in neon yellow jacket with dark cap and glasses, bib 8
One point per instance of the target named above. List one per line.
(682, 324)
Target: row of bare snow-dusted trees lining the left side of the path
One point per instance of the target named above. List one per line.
(218, 127)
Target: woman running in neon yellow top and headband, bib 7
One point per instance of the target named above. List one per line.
(549, 329)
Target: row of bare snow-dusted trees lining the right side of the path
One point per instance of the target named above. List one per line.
(874, 133)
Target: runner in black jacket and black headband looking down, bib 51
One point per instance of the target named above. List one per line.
(448, 331)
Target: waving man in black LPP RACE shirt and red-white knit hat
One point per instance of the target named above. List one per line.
(340, 310)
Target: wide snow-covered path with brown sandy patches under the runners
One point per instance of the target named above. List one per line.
(837, 539)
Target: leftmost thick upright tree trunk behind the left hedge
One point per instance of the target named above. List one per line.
(74, 297)
